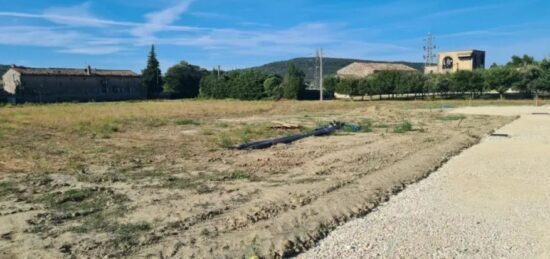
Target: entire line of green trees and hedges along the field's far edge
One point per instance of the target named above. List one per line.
(524, 74)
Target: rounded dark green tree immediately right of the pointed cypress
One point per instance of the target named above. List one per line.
(183, 80)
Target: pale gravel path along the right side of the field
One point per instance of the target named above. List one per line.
(491, 201)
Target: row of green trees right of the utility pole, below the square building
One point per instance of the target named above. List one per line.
(523, 74)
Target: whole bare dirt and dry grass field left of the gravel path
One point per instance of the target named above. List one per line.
(157, 179)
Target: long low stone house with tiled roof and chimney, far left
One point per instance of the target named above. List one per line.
(24, 84)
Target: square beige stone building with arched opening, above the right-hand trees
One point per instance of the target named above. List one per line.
(453, 61)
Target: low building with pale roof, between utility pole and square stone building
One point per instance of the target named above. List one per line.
(359, 69)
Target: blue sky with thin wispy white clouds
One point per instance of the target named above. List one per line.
(243, 33)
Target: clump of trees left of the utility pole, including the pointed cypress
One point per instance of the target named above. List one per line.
(184, 80)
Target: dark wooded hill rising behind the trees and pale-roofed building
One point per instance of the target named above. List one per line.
(331, 66)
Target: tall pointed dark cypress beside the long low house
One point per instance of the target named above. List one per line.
(152, 76)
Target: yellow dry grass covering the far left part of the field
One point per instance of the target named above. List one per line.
(73, 136)
